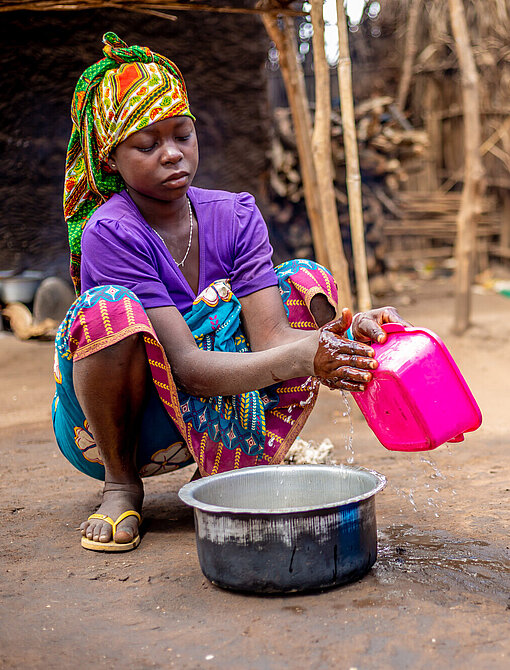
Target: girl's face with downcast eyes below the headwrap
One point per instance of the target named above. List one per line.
(160, 161)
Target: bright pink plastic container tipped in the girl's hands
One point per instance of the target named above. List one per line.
(417, 398)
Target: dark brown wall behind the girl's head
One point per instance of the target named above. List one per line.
(43, 53)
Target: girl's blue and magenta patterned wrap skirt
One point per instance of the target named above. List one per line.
(177, 429)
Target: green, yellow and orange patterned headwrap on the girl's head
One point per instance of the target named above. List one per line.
(127, 90)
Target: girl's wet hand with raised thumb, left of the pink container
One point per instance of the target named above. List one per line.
(340, 363)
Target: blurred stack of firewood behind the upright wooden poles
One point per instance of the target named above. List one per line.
(390, 149)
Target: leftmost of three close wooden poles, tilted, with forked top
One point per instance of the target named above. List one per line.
(294, 81)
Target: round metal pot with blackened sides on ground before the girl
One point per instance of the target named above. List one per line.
(280, 528)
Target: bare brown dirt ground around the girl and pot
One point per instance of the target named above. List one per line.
(438, 596)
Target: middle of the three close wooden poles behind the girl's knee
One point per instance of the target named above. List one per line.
(321, 147)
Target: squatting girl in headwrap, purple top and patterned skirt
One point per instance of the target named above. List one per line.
(185, 344)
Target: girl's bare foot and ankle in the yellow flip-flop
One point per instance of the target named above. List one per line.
(117, 498)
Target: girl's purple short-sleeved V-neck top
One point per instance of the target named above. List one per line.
(119, 247)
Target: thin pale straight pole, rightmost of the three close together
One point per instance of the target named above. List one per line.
(353, 180)
